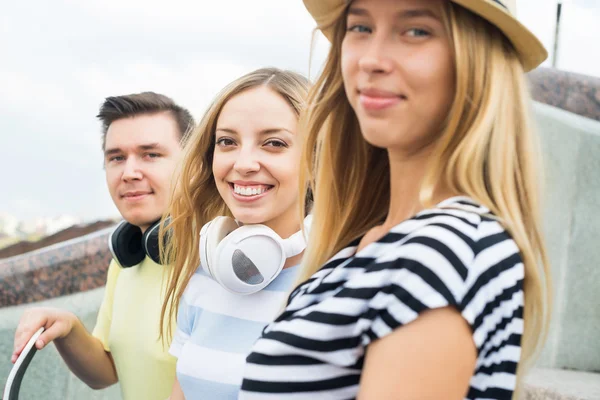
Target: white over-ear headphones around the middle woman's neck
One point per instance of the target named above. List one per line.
(245, 259)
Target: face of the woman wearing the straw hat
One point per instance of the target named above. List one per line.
(398, 71)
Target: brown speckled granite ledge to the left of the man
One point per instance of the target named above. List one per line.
(70, 267)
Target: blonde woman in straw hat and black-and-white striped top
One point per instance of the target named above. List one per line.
(425, 275)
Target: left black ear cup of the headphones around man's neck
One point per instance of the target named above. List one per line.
(125, 244)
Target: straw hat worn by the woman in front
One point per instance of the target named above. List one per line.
(501, 13)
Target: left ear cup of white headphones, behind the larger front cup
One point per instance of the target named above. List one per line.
(211, 235)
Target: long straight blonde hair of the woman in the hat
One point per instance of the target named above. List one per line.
(487, 151)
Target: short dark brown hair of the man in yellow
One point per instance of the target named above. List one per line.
(131, 105)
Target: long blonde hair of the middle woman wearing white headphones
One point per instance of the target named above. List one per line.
(196, 200)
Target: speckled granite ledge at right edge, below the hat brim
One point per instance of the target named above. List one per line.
(576, 93)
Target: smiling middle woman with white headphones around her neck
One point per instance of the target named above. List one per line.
(242, 161)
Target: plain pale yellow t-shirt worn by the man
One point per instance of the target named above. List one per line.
(128, 327)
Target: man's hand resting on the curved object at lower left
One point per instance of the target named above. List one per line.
(57, 324)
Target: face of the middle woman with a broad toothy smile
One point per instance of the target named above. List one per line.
(256, 159)
